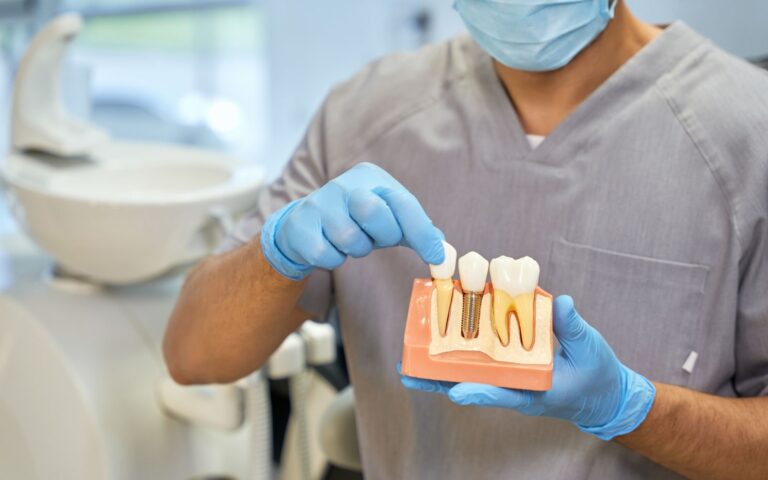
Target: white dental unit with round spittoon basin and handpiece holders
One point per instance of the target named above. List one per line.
(84, 392)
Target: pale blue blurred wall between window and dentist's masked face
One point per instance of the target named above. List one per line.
(313, 45)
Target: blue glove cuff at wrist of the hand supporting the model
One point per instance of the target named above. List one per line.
(639, 394)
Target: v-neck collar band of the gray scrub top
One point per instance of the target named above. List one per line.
(638, 74)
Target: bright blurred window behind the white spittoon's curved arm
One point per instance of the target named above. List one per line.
(175, 71)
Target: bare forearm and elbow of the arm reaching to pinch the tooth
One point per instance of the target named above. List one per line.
(233, 312)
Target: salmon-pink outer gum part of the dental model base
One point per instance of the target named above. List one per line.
(462, 366)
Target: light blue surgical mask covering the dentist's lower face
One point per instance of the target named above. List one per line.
(535, 35)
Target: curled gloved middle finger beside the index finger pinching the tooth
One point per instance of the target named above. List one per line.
(375, 218)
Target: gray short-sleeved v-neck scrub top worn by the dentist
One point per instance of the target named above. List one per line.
(649, 205)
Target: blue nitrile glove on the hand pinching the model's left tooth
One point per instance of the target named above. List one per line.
(358, 211)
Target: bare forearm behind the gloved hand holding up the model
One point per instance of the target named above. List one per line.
(704, 436)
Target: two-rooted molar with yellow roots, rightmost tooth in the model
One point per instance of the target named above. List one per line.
(514, 285)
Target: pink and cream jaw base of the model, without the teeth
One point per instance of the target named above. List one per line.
(428, 354)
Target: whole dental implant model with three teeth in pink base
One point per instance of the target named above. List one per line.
(471, 331)
